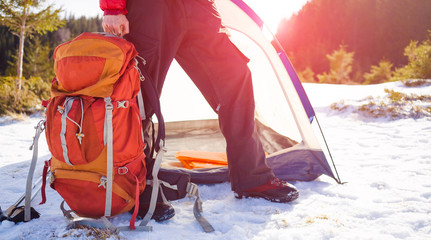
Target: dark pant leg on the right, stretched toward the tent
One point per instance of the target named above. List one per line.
(220, 71)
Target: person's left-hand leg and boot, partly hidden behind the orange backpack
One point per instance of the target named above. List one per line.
(156, 30)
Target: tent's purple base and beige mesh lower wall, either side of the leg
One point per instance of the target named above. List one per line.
(294, 163)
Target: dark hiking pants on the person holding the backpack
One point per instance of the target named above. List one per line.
(191, 32)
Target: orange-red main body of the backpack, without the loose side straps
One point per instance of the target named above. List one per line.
(94, 128)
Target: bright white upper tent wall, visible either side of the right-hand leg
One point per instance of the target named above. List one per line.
(277, 103)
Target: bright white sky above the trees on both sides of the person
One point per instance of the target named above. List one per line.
(271, 11)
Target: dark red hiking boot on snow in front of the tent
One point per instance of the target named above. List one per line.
(274, 190)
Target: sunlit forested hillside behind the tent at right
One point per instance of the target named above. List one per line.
(373, 30)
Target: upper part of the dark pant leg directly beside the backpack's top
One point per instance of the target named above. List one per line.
(156, 30)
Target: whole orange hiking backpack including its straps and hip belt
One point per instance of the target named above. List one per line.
(94, 133)
